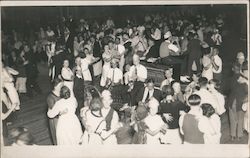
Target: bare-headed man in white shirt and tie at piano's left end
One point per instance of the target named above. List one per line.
(137, 72)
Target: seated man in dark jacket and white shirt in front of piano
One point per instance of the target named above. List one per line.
(147, 92)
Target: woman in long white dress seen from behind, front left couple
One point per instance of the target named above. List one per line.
(68, 130)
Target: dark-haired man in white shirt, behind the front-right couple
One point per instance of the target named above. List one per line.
(206, 96)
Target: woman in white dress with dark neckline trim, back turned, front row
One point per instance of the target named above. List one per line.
(94, 123)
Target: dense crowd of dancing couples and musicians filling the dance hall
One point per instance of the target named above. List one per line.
(92, 63)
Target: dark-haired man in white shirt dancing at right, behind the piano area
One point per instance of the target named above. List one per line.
(217, 64)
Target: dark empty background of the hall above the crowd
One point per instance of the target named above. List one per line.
(17, 17)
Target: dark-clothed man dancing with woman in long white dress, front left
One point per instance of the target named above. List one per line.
(52, 98)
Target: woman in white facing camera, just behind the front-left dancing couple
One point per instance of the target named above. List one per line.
(67, 76)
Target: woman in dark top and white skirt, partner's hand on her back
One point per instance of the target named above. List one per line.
(170, 110)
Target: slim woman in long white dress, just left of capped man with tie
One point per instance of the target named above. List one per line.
(107, 56)
